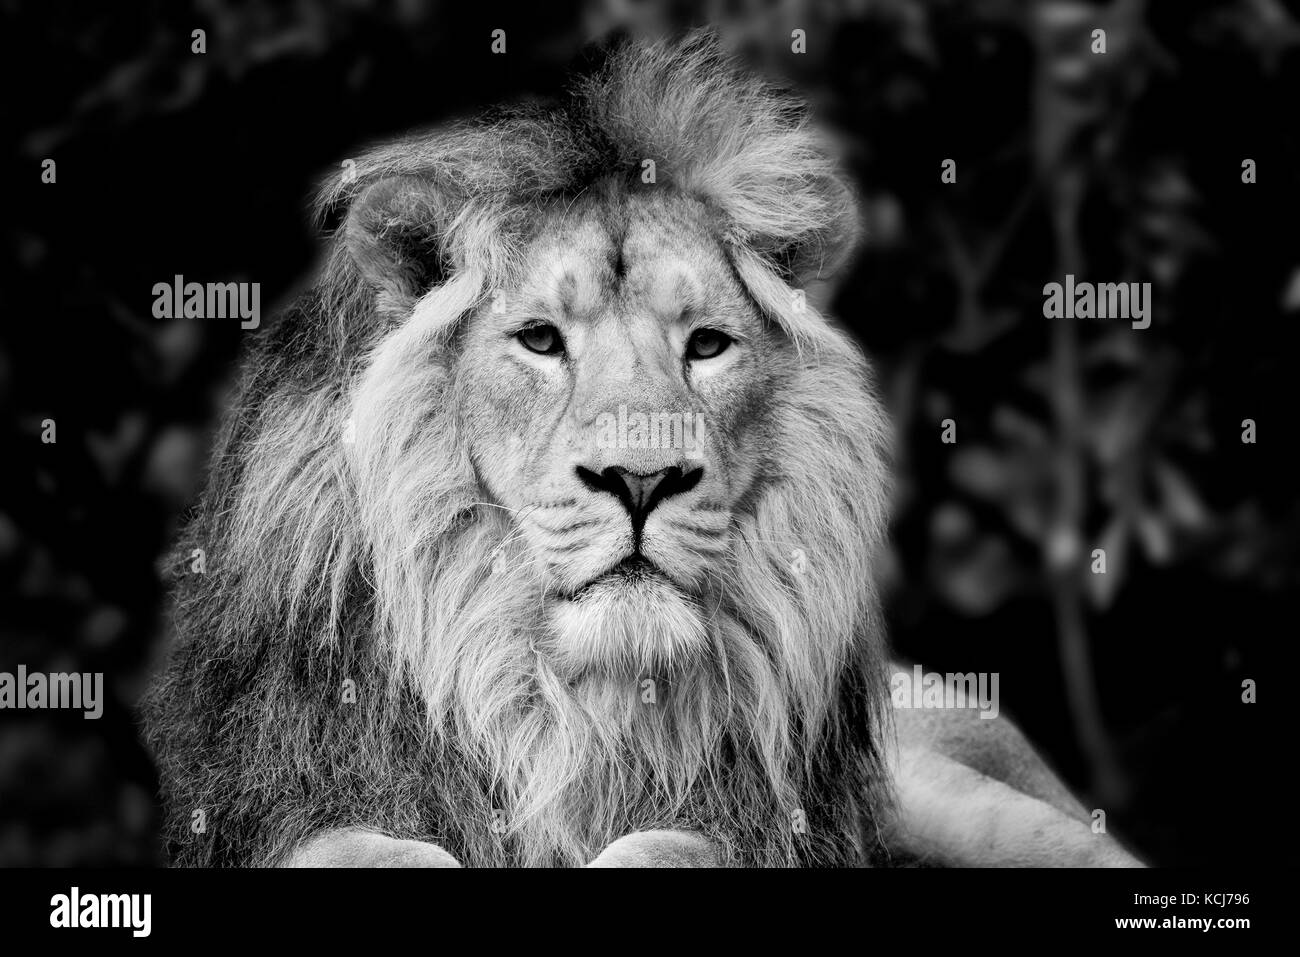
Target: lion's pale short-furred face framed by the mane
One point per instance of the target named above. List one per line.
(614, 402)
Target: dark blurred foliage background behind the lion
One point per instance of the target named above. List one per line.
(1072, 435)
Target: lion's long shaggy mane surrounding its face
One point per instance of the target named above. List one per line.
(370, 561)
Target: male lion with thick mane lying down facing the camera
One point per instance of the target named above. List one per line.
(543, 530)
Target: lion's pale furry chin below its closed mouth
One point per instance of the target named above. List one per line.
(626, 627)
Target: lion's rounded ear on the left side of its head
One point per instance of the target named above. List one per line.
(395, 232)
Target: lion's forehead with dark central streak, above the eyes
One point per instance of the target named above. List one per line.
(655, 257)
